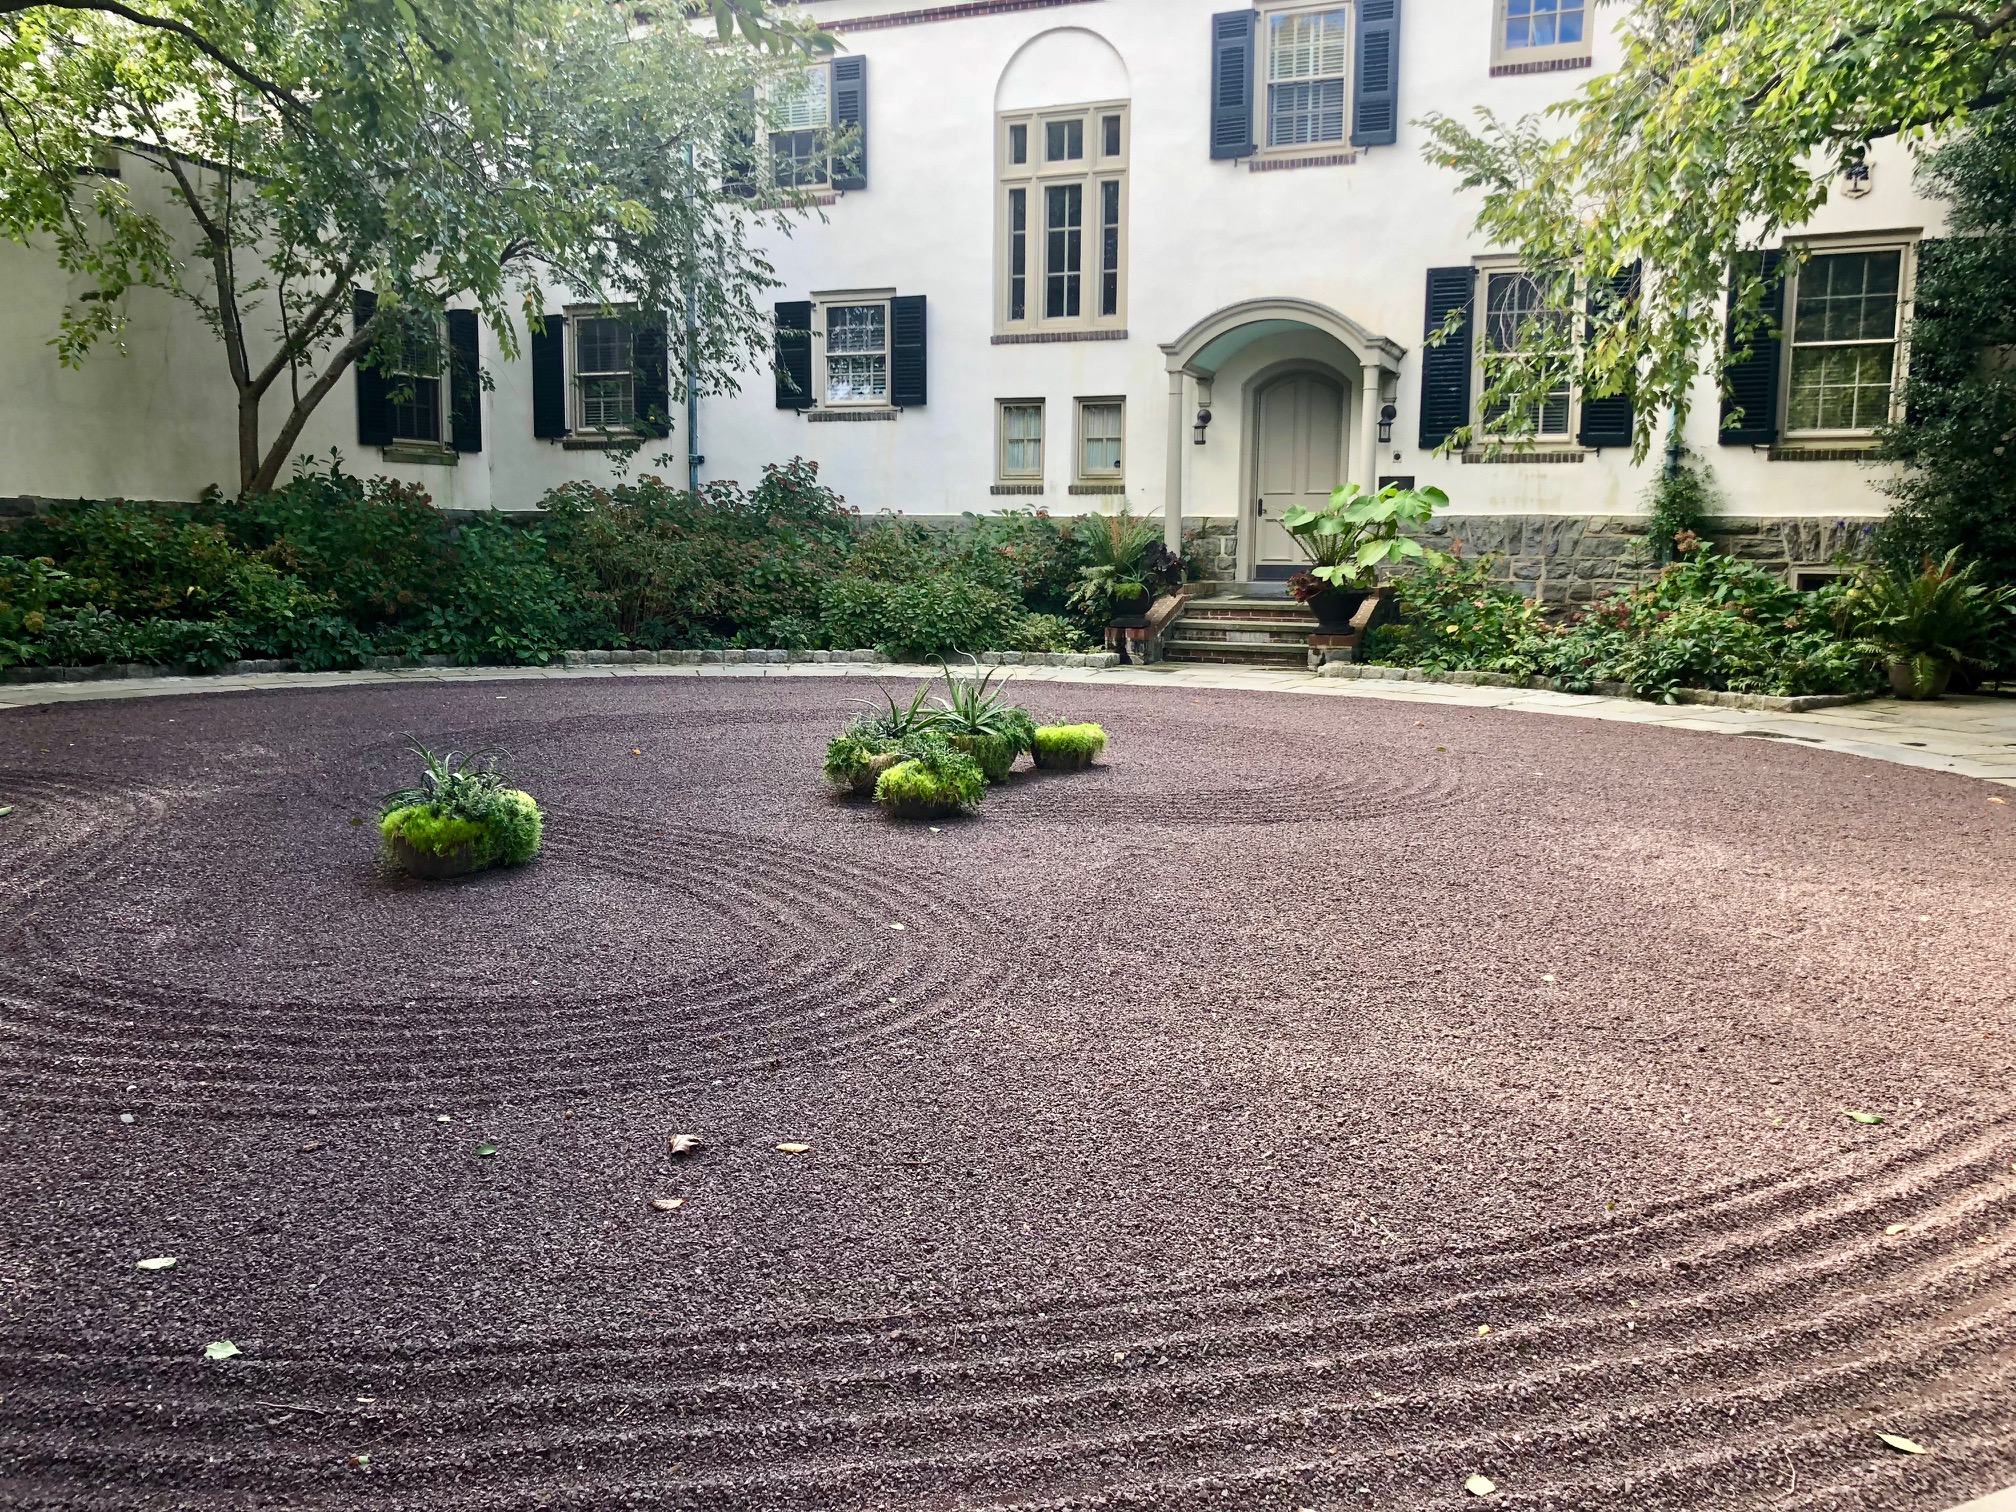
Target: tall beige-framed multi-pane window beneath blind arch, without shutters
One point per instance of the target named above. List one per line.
(1063, 221)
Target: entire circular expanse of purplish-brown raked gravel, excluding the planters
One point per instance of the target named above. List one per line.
(1309, 1108)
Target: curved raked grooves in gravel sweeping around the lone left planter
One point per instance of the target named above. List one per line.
(824, 979)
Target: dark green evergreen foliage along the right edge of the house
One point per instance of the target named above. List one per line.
(1961, 392)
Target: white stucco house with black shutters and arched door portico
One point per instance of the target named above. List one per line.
(1158, 251)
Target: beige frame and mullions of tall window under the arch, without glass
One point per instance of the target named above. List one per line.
(1035, 178)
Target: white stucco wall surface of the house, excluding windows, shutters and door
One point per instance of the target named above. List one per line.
(1203, 235)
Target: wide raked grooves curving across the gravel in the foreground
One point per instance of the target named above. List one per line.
(1624, 1368)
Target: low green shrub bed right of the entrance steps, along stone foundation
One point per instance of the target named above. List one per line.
(1705, 622)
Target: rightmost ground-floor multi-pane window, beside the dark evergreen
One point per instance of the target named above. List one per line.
(1846, 324)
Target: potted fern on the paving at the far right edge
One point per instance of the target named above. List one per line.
(1932, 624)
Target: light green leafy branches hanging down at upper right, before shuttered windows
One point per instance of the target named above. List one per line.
(1725, 128)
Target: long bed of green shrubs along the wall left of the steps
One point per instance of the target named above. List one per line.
(334, 570)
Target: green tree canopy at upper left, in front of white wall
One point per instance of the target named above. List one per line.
(301, 150)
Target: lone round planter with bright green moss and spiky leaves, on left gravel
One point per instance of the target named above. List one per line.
(461, 817)
